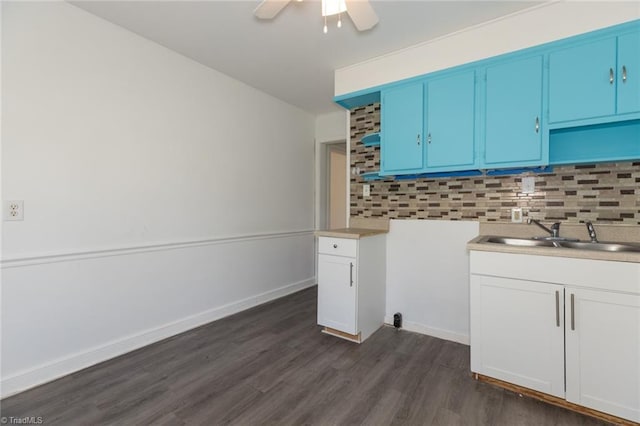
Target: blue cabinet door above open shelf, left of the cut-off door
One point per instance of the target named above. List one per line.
(582, 81)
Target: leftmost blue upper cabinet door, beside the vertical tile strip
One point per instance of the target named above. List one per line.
(401, 141)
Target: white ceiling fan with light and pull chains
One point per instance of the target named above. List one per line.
(360, 11)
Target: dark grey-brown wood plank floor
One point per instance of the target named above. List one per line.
(271, 365)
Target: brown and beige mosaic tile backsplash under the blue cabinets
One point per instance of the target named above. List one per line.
(604, 193)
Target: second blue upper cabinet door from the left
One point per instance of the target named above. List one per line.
(450, 125)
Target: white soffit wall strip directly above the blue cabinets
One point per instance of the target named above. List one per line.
(534, 26)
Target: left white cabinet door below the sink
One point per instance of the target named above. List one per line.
(517, 332)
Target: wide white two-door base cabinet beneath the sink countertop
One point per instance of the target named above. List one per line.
(538, 320)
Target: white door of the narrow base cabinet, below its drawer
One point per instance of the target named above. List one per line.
(337, 283)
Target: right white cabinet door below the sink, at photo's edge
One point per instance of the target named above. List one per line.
(603, 351)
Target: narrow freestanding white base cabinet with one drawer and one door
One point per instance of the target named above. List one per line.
(351, 285)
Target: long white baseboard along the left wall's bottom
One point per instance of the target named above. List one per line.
(64, 366)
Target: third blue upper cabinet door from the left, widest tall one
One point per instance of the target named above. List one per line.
(513, 126)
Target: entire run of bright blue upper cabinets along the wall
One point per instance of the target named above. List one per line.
(570, 101)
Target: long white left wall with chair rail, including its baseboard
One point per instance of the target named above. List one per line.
(159, 194)
